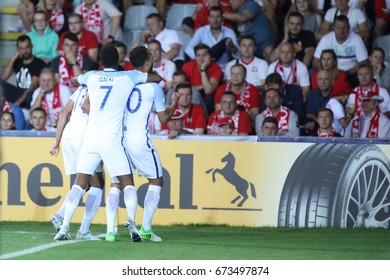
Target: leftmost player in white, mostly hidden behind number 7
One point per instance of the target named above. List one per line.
(70, 129)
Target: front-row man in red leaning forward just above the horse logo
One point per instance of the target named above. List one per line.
(229, 109)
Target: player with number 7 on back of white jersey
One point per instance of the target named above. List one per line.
(108, 92)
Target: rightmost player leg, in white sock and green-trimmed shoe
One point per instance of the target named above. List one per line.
(152, 198)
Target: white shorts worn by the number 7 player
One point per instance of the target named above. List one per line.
(107, 148)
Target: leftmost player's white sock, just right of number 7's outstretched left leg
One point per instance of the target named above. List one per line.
(92, 205)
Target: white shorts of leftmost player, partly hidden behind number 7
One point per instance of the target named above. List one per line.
(70, 153)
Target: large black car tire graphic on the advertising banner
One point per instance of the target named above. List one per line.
(337, 185)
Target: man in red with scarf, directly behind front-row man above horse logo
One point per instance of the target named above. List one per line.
(248, 96)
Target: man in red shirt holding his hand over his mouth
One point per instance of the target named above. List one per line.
(204, 74)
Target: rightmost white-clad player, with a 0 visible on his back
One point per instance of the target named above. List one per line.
(139, 146)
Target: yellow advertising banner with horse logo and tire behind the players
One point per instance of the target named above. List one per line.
(296, 184)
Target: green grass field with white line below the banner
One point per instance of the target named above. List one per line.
(34, 241)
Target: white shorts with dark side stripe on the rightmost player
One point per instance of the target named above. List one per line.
(143, 155)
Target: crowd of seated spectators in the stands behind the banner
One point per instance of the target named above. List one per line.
(252, 67)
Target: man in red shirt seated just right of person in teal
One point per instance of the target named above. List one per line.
(88, 44)
